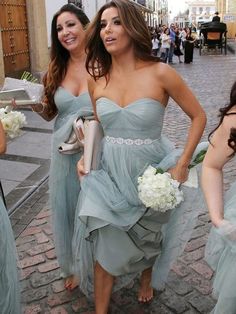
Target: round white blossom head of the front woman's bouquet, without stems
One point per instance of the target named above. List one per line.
(158, 190)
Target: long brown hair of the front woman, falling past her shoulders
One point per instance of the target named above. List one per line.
(98, 61)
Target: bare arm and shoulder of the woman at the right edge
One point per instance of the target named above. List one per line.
(212, 170)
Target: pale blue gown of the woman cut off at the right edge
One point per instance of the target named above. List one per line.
(220, 254)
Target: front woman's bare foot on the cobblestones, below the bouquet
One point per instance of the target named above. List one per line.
(146, 291)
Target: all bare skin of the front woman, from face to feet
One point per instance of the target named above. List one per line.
(131, 79)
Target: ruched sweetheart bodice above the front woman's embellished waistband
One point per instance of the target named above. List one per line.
(143, 118)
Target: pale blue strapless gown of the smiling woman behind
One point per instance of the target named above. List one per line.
(64, 184)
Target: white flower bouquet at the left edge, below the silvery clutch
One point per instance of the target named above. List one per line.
(12, 121)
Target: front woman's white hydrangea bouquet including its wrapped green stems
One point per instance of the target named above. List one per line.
(157, 190)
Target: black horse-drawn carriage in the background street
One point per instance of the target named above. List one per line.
(213, 36)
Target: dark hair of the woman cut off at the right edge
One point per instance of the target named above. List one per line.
(223, 113)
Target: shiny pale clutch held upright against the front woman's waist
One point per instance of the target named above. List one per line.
(93, 135)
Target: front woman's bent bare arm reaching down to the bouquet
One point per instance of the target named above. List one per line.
(176, 88)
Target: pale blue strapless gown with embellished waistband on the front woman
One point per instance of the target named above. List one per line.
(112, 226)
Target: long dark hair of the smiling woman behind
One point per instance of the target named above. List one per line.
(59, 55)
